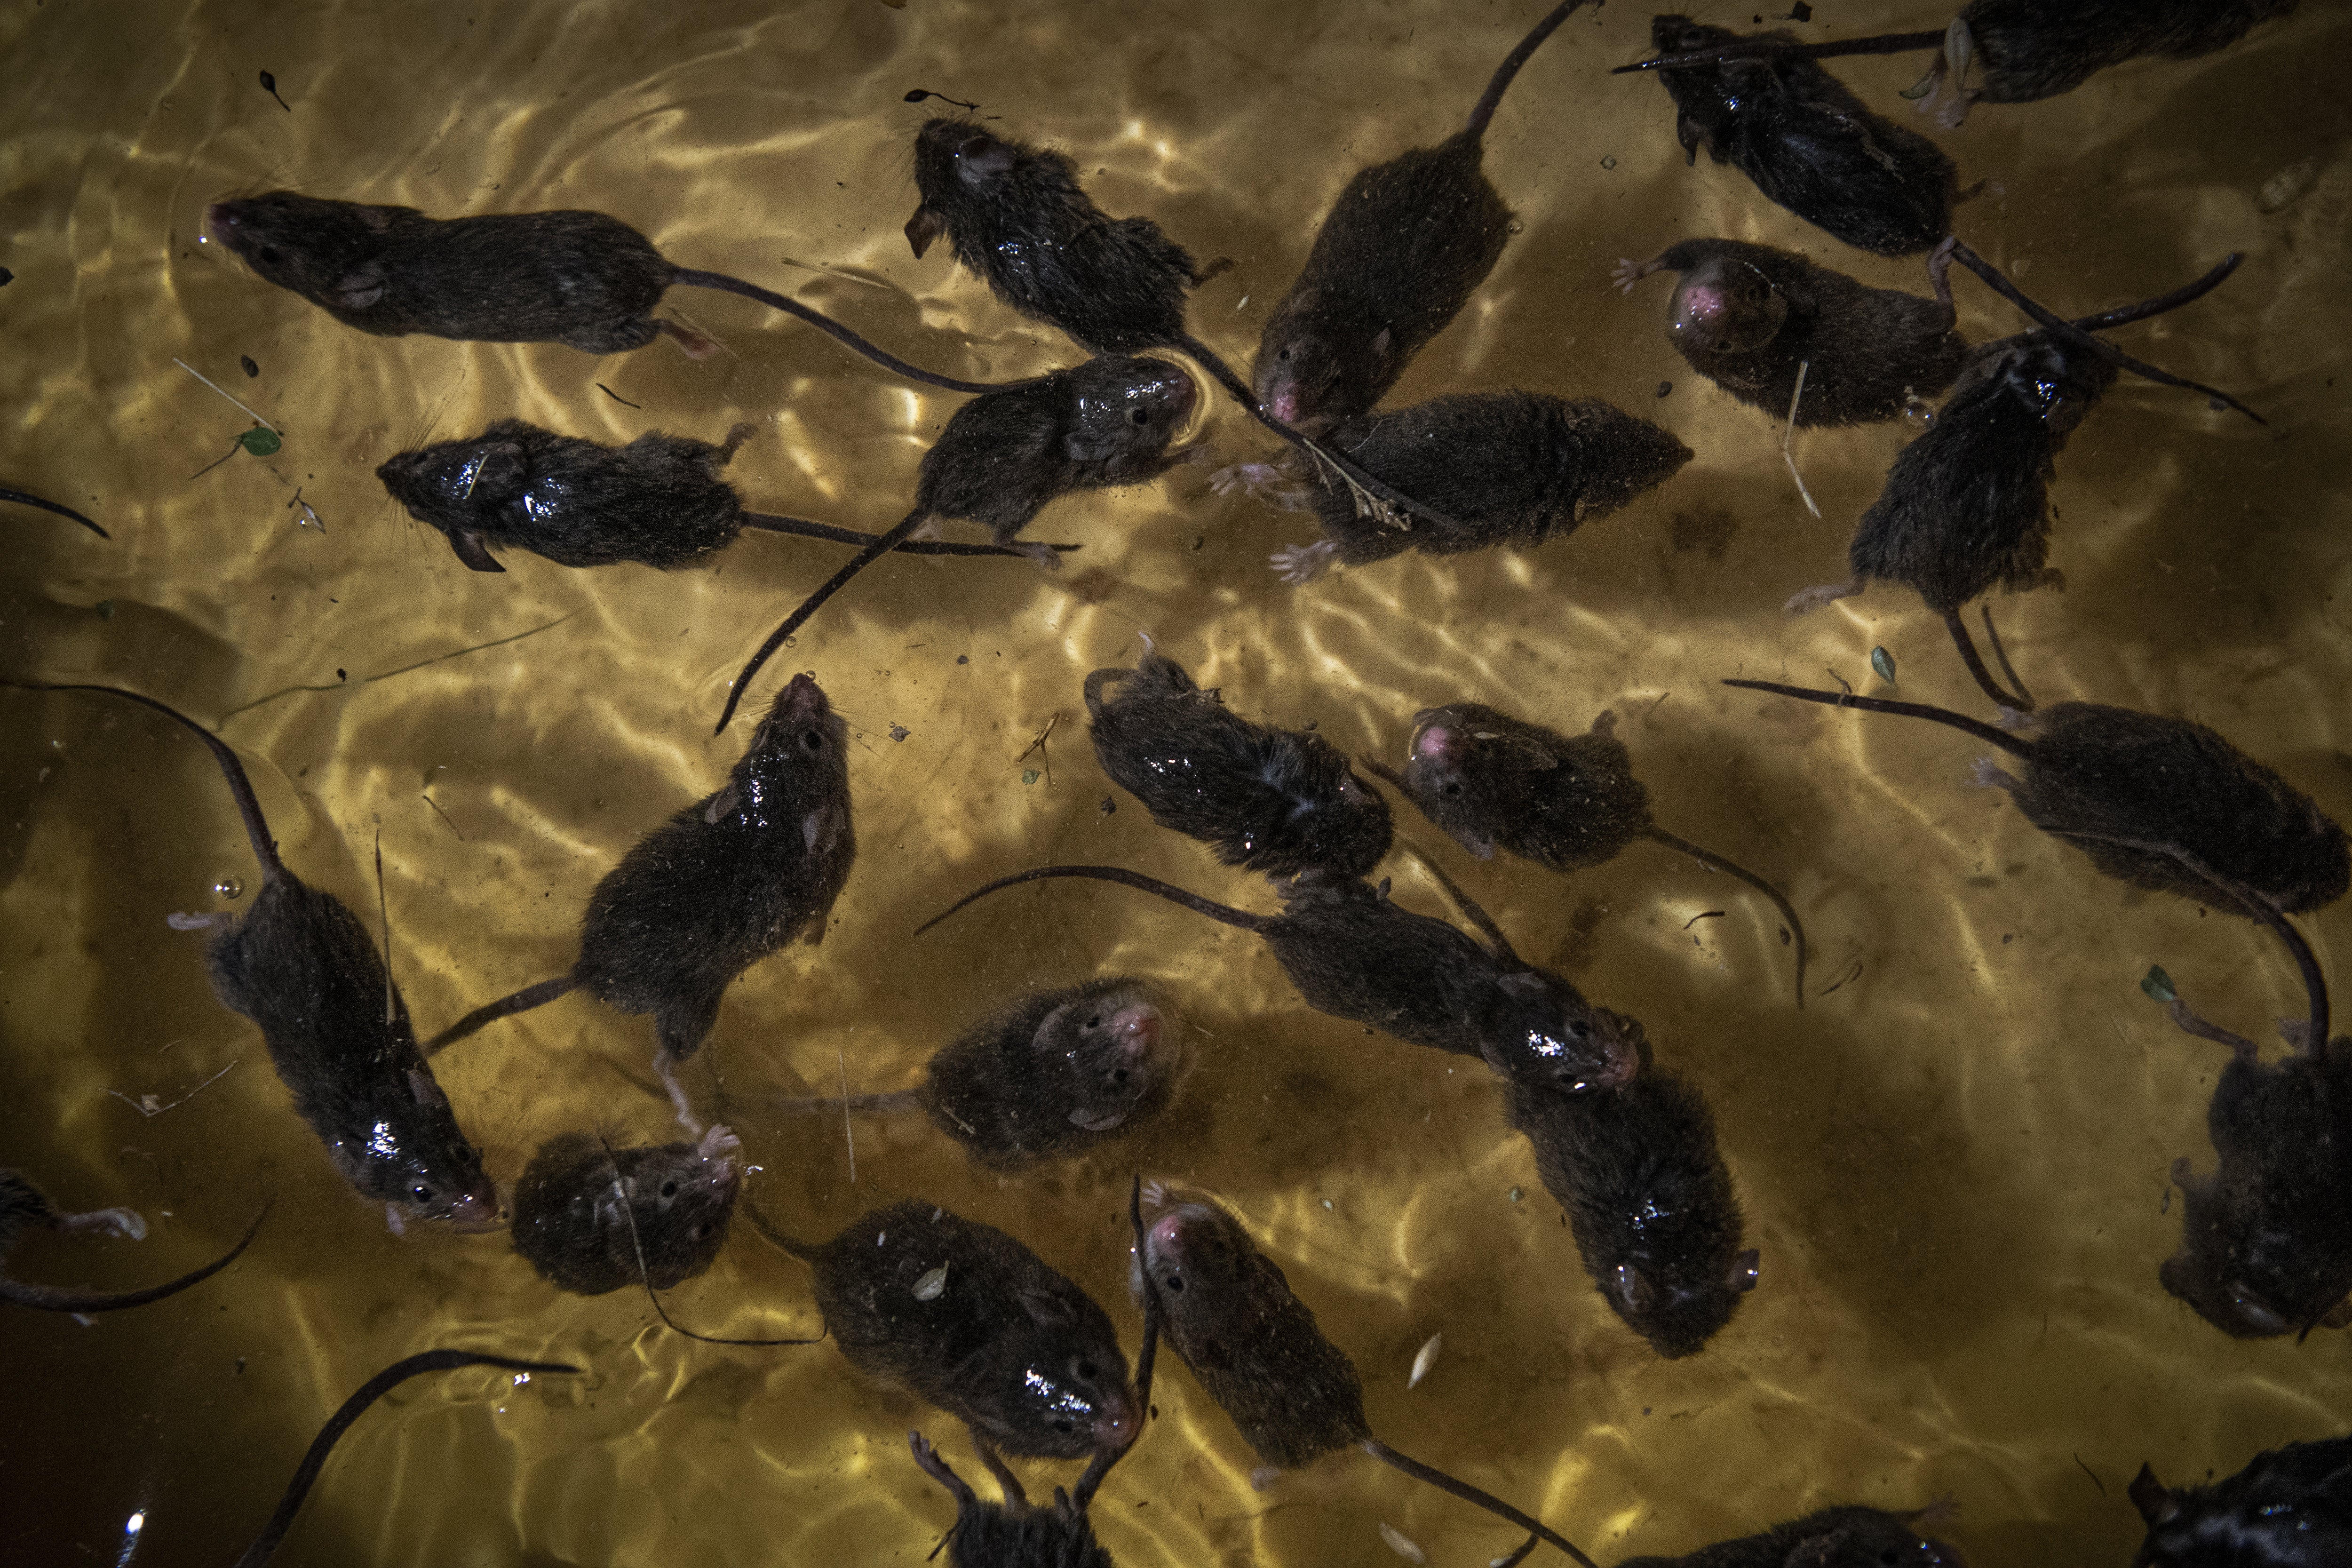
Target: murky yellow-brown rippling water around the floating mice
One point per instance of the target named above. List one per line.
(1953, 1162)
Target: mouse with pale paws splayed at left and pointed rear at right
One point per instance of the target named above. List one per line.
(1506, 469)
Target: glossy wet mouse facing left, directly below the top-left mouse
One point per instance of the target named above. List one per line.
(657, 502)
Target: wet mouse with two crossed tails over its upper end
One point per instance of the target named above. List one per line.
(1967, 504)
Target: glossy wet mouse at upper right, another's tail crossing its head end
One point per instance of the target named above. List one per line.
(1805, 140)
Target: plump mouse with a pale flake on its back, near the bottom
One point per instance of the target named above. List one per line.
(977, 1325)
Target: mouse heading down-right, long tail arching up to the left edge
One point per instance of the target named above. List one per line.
(307, 972)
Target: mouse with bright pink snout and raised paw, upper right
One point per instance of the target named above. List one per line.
(1753, 319)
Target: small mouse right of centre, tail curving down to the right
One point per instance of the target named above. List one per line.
(1495, 782)
